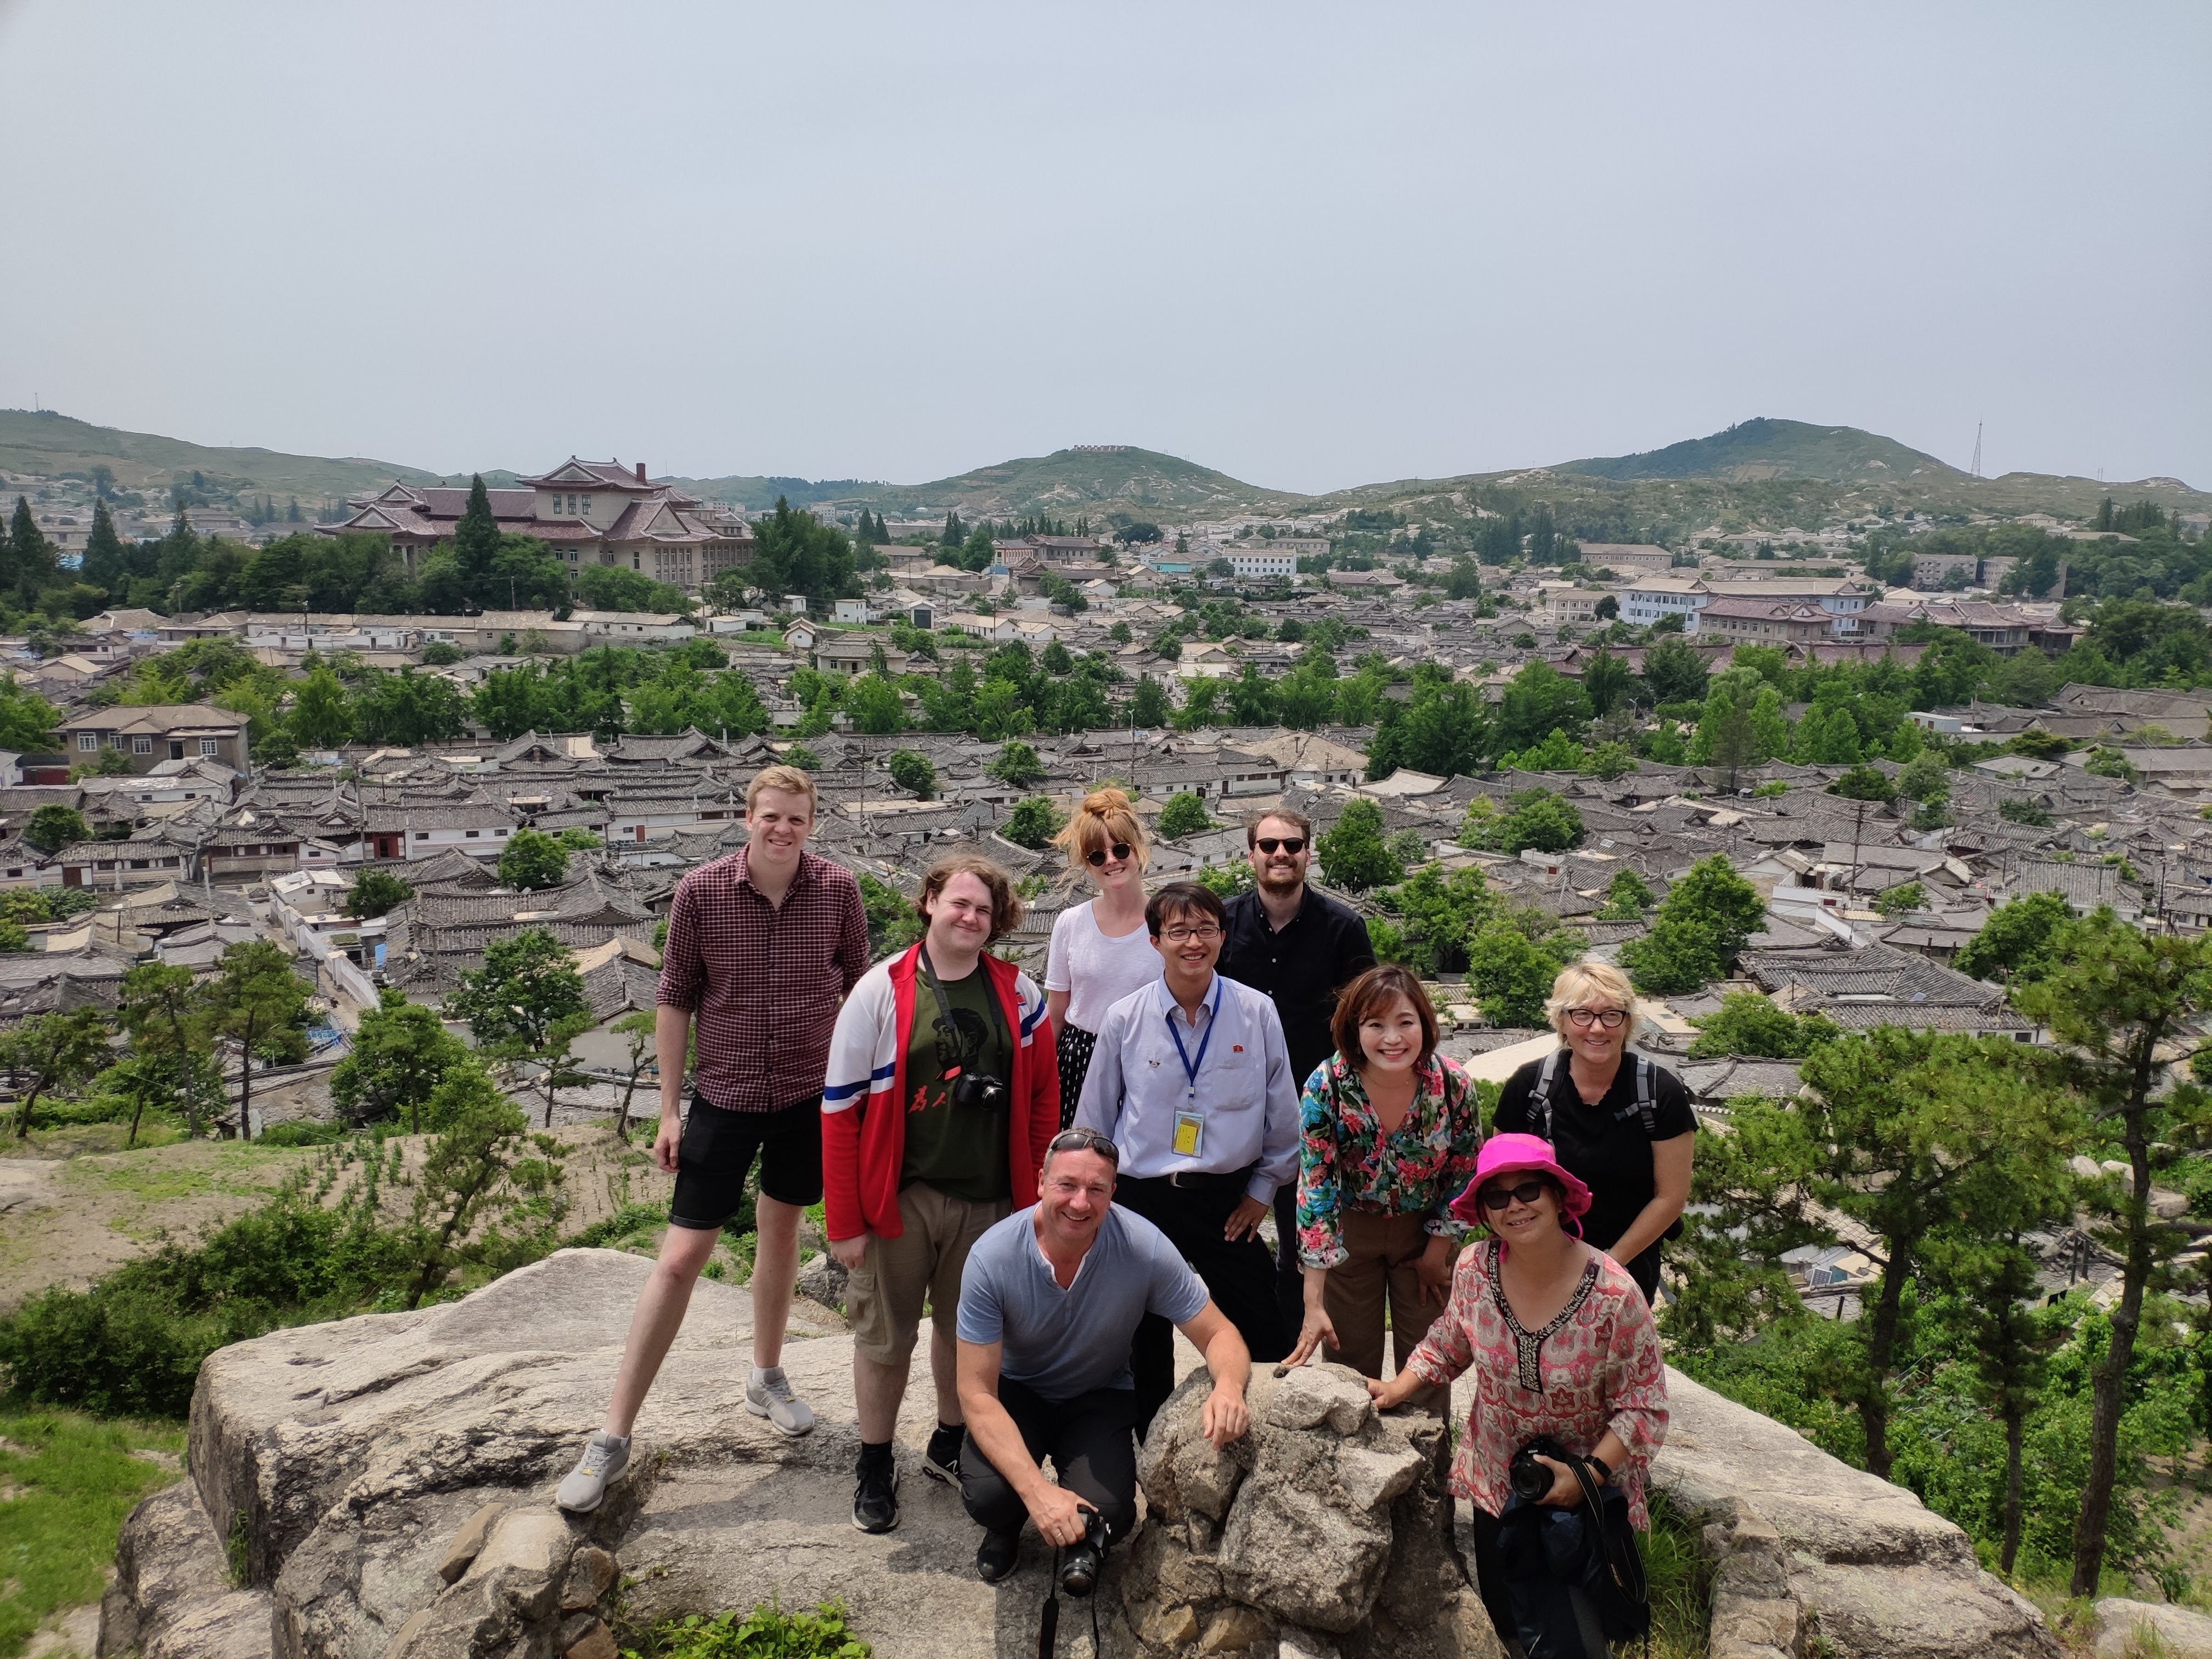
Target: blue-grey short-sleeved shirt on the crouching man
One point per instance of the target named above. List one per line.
(1072, 1342)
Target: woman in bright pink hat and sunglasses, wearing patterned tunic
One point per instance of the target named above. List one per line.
(1558, 1342)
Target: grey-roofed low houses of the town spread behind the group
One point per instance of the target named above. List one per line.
(202, 848)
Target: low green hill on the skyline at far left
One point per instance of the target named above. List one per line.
(52, 446)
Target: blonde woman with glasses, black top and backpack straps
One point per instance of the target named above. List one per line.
(1620, 1123)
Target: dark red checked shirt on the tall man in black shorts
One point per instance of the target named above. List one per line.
(764, 981)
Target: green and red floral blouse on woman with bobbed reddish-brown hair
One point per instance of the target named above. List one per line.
(1348, 1160)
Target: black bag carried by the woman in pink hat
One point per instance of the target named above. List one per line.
(1558, 1558)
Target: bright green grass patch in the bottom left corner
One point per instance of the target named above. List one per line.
(72, 1483)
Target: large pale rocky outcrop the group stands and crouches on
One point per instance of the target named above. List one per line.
(382, 1490)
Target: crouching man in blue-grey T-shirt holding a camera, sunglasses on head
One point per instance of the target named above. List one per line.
(1050, 1304)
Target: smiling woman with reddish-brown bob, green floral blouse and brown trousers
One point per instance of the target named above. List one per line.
(1390, 1136)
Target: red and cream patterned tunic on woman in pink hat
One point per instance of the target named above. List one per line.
(1598, 1366)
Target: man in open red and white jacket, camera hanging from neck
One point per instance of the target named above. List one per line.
(937, 1112)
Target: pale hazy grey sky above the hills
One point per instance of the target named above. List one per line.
(1313, 247)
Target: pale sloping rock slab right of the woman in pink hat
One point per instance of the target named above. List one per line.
(1813, 1556)
